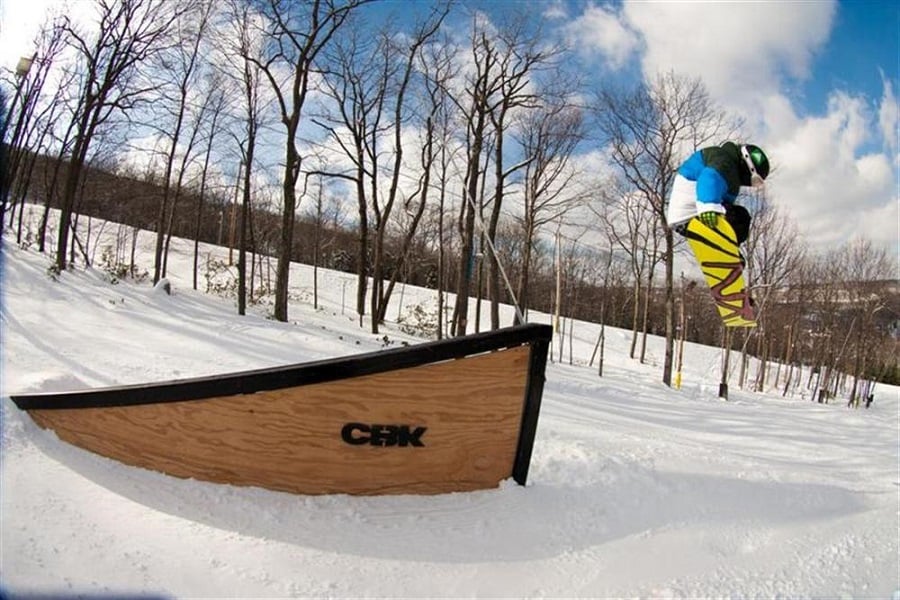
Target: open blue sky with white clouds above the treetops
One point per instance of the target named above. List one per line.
(816, 82)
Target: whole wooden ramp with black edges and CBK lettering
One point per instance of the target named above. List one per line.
(452, 415)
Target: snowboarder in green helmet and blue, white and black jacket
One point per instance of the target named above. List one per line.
(708, 182)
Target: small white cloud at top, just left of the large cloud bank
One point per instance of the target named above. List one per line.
(599, 30)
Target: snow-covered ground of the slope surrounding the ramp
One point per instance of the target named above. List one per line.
(635, 489)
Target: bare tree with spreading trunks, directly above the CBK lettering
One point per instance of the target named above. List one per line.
(370, 99)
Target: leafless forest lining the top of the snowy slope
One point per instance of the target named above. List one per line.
(435, 148)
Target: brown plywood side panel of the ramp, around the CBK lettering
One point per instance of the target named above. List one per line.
(290, 439)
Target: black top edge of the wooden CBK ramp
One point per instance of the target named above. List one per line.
(250, 382)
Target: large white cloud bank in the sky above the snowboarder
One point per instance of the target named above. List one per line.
(829, 172)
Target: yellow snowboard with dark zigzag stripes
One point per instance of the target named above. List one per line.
(716, 250)
